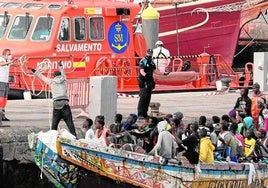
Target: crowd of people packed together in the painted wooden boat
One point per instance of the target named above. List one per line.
(237, 136)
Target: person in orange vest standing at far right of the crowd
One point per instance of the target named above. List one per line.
(255, 110)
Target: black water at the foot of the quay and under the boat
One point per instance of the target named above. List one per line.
(27, 175)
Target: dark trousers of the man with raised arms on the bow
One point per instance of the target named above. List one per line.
(66, 114)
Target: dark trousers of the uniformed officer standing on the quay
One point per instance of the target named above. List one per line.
(144, 102)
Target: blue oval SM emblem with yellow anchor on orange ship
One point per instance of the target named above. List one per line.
(118, 37)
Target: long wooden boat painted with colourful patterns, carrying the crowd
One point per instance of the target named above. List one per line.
(144, 170)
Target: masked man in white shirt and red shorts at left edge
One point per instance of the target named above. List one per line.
(5, 62)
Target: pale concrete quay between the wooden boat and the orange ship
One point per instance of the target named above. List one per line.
(35, 115)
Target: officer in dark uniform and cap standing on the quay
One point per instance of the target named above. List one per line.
(146, 82)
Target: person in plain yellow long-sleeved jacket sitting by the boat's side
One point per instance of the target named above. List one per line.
(206, 148)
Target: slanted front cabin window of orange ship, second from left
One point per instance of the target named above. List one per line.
(20, 27)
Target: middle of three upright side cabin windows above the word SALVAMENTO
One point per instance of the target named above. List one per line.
(79, 29)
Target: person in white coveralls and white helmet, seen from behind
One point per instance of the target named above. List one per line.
(161, 55)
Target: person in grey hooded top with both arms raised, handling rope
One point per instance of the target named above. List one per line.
(61, 108)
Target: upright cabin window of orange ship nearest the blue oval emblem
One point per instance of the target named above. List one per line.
(96, 28)
